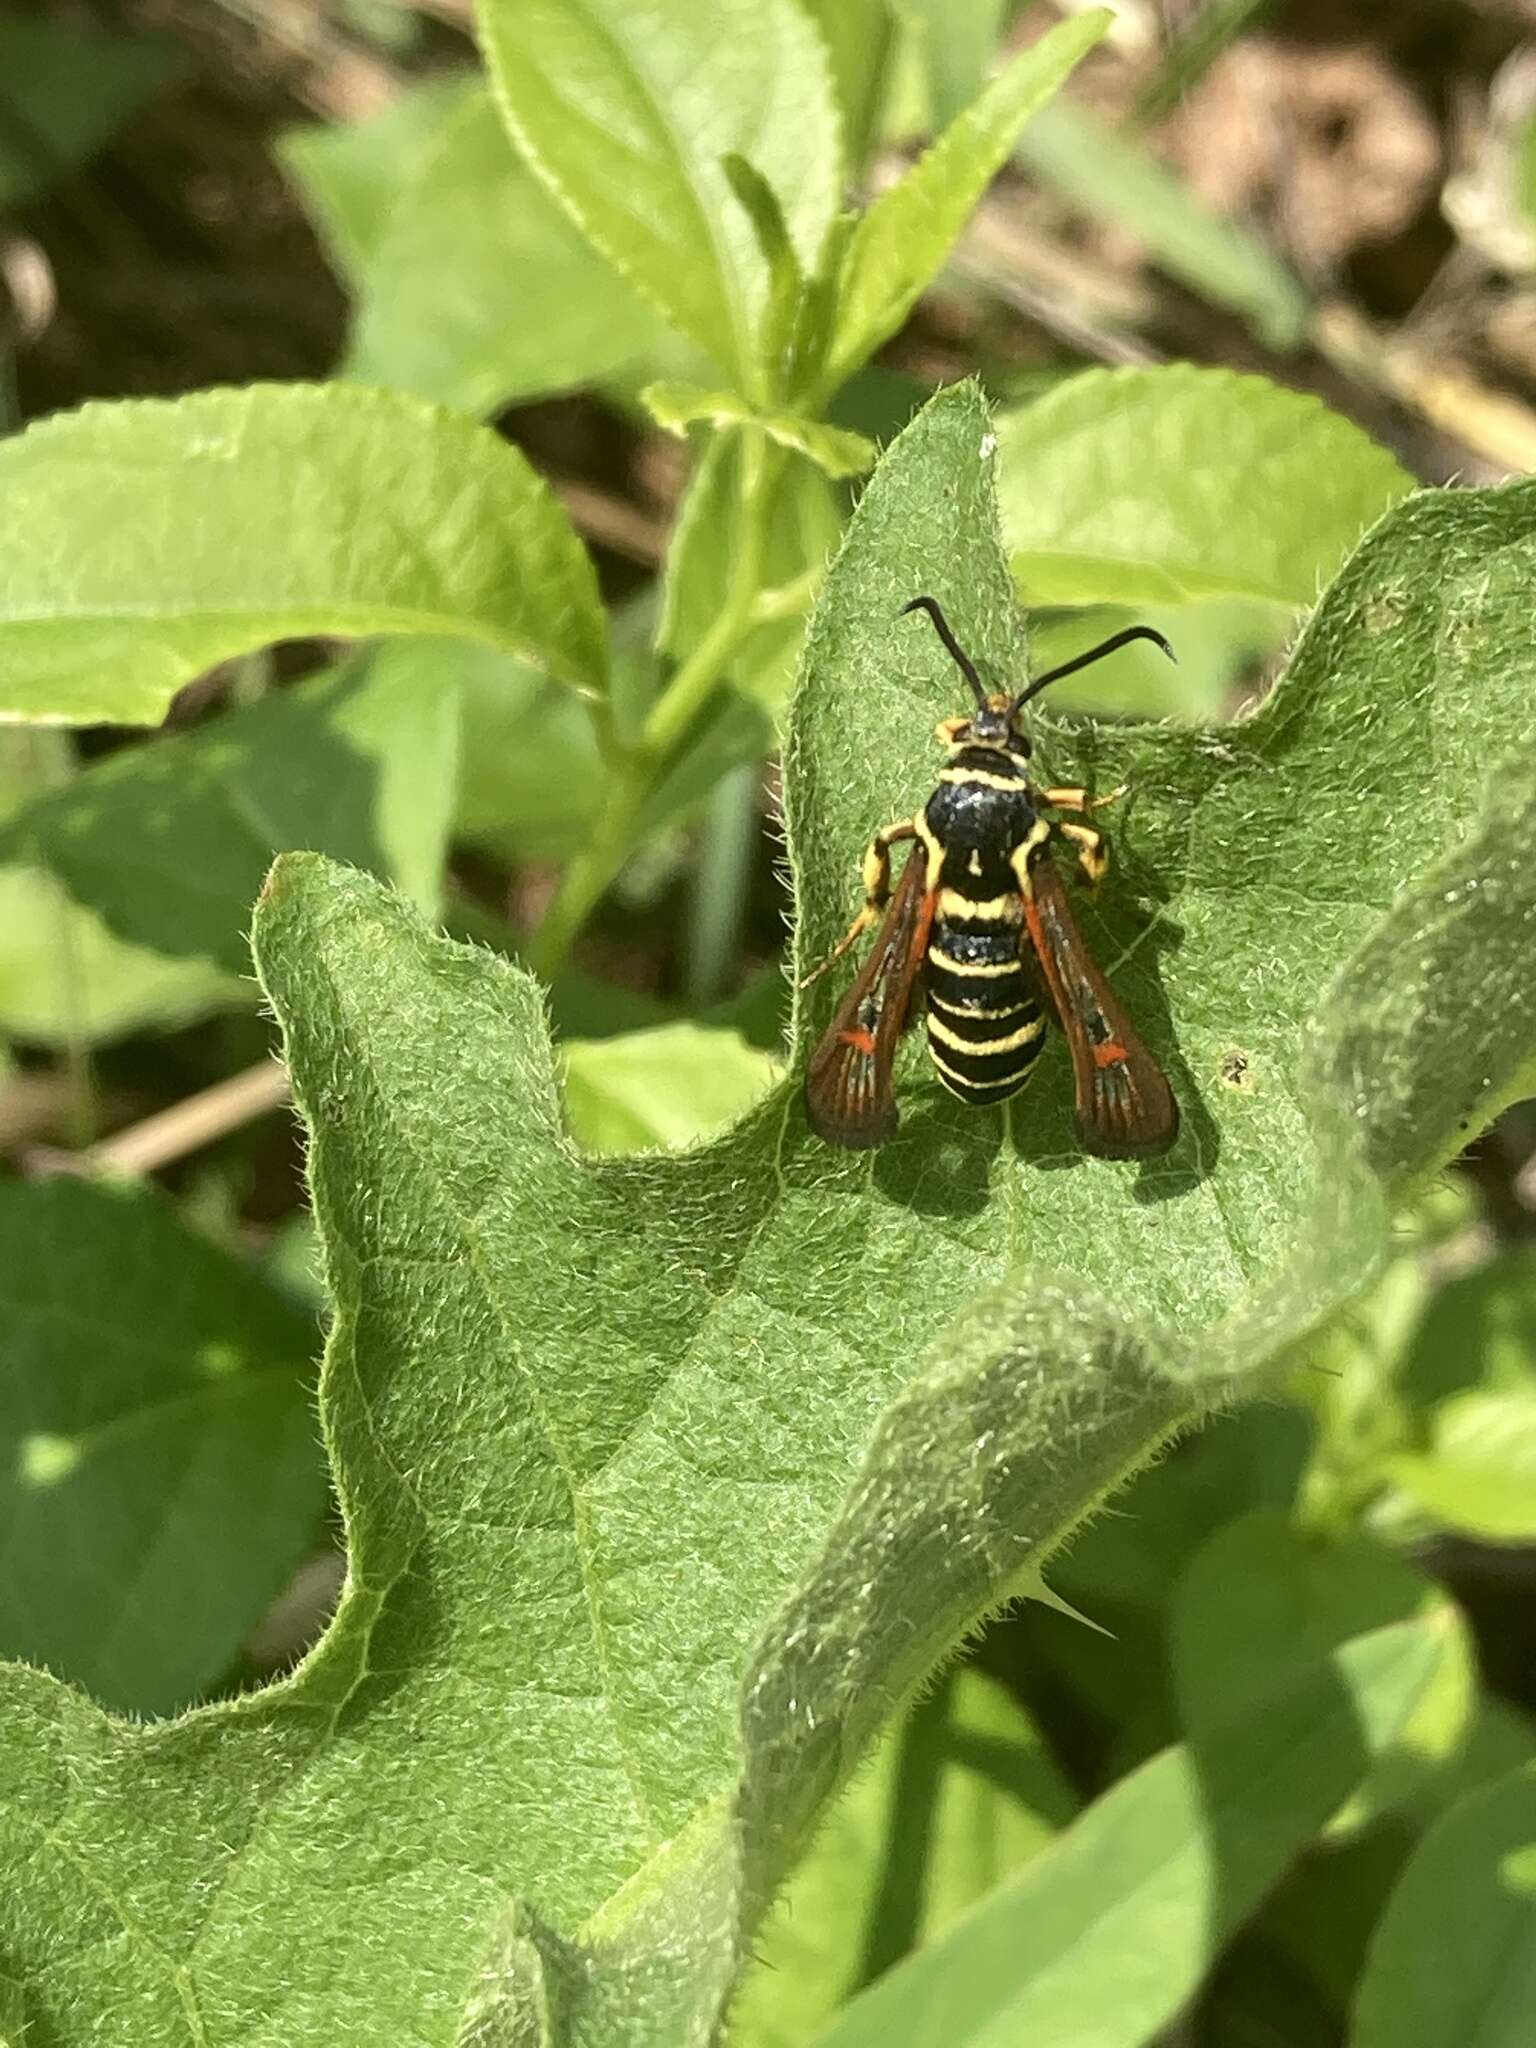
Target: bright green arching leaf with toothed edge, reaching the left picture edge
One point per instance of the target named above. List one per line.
(157, 540)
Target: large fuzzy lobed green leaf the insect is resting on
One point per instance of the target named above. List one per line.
(669, 1480)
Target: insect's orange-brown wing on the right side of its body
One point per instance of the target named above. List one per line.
(1125, 1107)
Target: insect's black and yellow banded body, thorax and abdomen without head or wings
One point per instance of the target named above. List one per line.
(984, 1017)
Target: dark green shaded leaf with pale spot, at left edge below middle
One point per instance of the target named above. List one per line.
(161, 1474)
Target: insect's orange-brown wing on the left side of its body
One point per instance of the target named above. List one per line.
(849, 1084)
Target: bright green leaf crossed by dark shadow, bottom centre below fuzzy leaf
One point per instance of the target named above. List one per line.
(957, 1795)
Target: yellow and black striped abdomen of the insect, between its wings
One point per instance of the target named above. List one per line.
(984, 1021)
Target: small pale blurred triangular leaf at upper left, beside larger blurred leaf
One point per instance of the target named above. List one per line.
(351, 175)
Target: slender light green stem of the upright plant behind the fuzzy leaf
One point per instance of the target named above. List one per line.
(638, 771)
